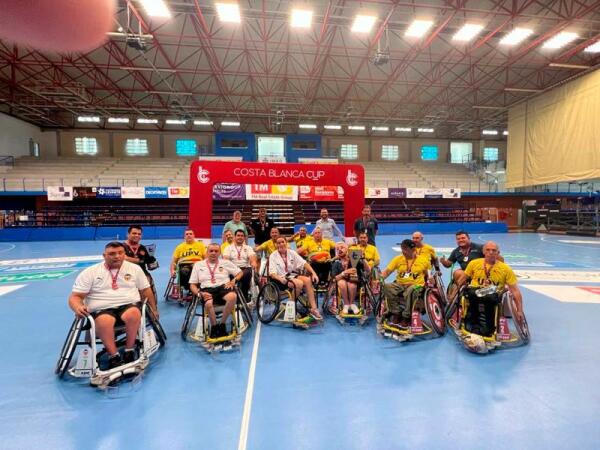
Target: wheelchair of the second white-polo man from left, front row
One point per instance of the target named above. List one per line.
(241, 321)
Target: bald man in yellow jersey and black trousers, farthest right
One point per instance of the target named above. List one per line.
(489, 277)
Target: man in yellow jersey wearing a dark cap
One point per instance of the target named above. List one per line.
(410, 279)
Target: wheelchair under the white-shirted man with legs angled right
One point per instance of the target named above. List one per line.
(283, 306)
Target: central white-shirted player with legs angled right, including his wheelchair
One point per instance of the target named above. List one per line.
(288, 296)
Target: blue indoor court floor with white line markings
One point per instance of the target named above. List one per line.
(328, 388)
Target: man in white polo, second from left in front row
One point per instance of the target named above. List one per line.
(211, 279)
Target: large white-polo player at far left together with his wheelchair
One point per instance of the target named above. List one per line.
(121, 330)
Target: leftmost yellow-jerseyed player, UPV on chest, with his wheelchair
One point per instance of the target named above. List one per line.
(185, 255)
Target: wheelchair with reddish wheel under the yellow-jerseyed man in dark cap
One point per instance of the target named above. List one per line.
(427, 314)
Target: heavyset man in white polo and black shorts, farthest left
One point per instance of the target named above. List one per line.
(109, 291)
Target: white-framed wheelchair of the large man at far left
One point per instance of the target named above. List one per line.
(93, 356)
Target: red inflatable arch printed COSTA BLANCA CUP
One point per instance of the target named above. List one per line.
(205, 174)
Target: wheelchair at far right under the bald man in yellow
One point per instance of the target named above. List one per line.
(484, 321)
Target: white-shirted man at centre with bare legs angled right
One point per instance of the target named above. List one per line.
(285, 266)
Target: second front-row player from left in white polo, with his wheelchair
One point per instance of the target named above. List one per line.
(213, 283)
